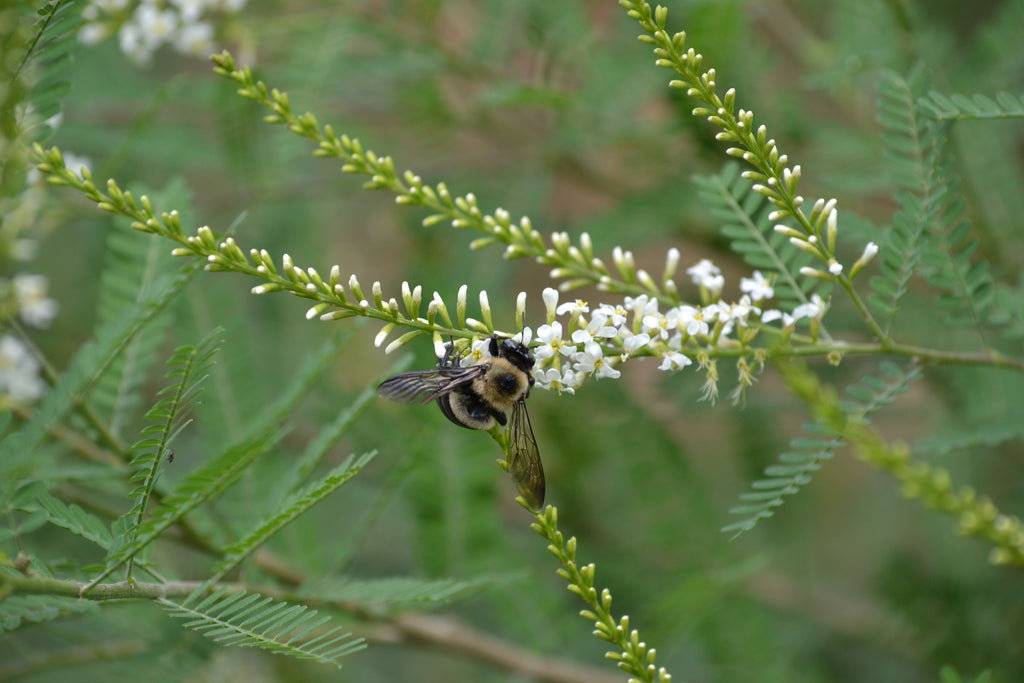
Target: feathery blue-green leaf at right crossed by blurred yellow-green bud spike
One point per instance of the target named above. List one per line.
(796, 466)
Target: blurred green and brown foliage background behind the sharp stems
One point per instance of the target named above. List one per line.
(553, 110)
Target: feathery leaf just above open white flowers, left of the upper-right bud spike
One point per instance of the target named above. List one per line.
(744, 219)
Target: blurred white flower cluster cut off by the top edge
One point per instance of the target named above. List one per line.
(144, 27)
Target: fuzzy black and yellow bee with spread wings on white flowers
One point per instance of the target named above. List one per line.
(481, 396)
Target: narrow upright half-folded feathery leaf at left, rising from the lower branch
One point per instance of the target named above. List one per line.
(190, 366)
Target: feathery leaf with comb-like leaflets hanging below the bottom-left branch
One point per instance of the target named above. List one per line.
(248, 620)
